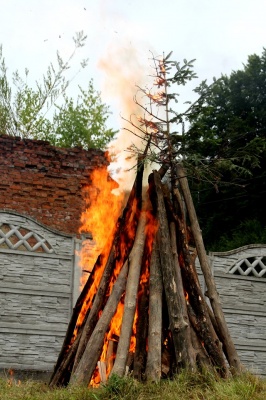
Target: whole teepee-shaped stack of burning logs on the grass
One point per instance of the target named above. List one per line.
(142, 309)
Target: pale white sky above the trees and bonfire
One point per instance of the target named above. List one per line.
(220, 34)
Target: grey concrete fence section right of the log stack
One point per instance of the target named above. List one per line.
(240, 277)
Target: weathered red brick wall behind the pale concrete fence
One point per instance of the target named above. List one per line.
(46, 182)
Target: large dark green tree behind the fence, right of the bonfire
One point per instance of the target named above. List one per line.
(228, 134)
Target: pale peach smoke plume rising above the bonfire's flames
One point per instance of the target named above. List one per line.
(124, 72)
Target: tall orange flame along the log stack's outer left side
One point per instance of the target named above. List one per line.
(100, 217)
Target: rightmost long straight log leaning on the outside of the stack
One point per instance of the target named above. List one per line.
(213, 295)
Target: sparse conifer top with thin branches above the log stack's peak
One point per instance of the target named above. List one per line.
(161, 126)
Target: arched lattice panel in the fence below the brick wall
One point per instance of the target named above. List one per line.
(19, 238)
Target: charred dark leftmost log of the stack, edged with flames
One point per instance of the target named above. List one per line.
(125, 232)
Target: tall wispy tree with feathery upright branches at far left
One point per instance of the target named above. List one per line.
(24, 110)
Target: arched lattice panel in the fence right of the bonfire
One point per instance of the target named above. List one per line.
(251, 266)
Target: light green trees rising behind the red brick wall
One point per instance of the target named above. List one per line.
(38, 112)
